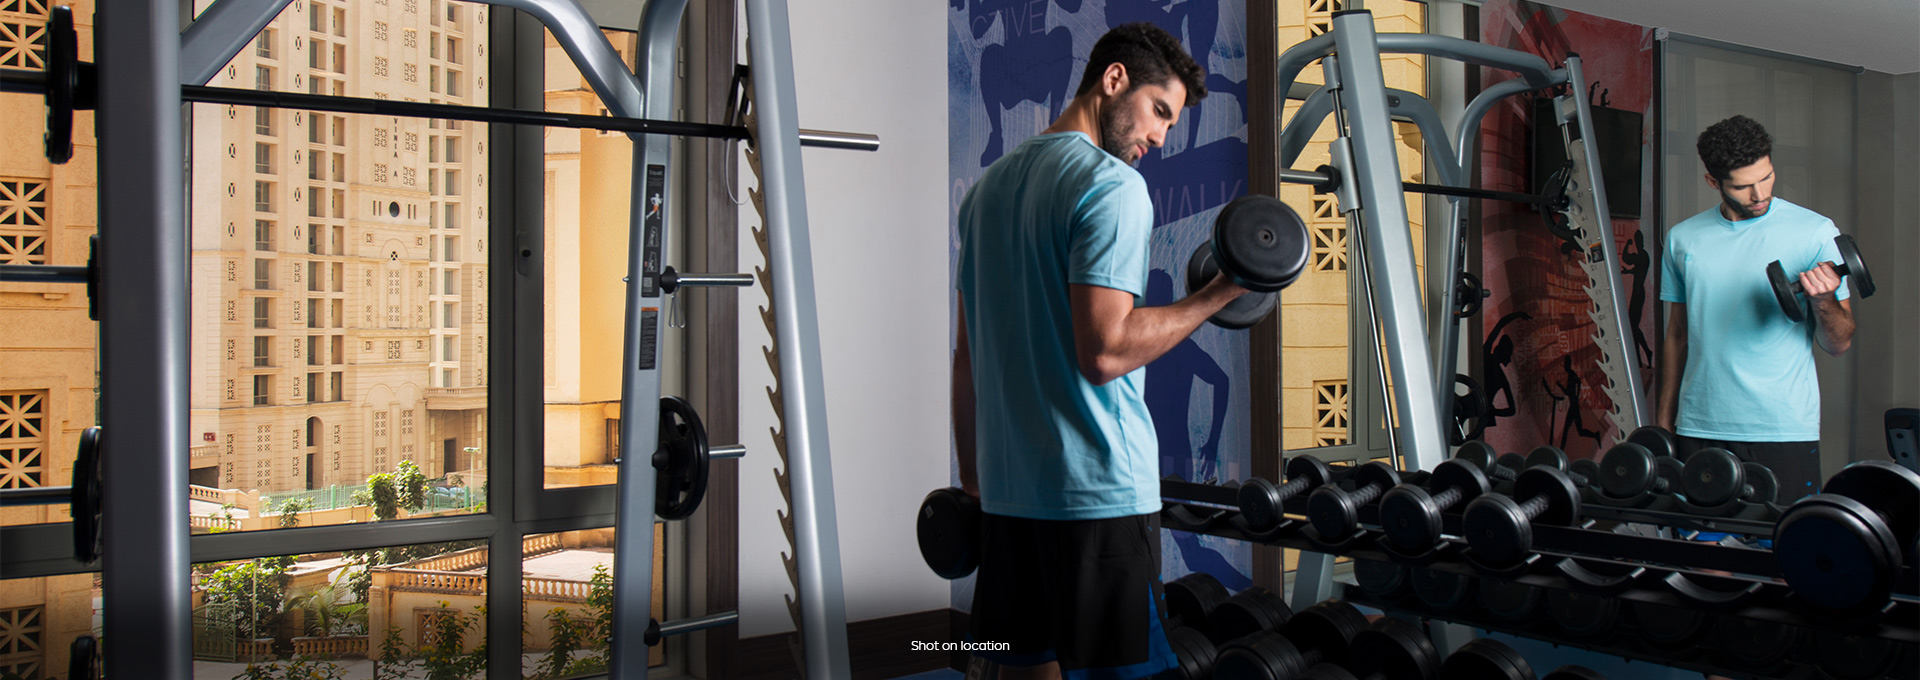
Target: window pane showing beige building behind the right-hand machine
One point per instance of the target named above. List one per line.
(1316, 337)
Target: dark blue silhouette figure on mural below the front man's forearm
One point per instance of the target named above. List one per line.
(1170, 383)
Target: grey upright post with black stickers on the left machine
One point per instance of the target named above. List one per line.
(640, 393)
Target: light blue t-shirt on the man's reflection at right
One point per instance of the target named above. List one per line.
(1750, 372)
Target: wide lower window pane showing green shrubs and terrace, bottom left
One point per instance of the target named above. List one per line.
(410, 612)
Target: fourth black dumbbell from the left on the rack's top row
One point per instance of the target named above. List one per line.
(1500, 529)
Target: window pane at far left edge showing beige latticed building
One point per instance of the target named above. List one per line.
(49, 362)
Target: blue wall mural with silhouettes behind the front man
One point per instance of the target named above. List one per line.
(1013, 66)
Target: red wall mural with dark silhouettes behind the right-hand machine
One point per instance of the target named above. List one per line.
(1541, 368)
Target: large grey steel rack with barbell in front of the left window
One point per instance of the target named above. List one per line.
(145, 297)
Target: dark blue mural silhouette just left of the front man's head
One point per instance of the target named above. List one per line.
(1030, 64)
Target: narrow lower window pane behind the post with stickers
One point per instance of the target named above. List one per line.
(567, 585)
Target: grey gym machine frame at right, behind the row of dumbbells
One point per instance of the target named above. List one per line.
(1364, 174)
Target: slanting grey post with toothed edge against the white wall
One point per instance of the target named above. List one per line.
(798, 328)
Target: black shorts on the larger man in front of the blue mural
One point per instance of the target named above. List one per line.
(1080, 593)
